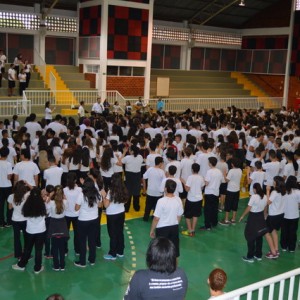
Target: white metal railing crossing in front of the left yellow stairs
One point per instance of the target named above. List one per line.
(71, 97)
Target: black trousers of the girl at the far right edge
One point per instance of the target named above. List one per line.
(288, 237)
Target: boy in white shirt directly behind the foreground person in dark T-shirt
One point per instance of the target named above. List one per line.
(167, 216)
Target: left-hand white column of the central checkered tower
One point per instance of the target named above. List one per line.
(103, 47)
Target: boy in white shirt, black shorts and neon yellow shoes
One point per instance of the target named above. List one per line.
(193, 204)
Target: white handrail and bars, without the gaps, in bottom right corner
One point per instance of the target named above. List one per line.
(247, 290)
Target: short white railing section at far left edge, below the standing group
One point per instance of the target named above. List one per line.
(15, 107)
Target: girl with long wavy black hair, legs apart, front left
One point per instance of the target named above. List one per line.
(34, 210)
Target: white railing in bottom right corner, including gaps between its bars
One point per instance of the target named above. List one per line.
(284, 286)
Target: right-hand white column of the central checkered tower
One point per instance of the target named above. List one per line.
(149, 53)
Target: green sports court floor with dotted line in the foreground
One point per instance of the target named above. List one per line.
(222, 247)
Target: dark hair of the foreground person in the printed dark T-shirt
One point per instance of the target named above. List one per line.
(161, 256)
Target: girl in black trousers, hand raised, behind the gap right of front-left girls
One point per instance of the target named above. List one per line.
(133, 164)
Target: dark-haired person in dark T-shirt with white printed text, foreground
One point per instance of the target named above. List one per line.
(162, 279)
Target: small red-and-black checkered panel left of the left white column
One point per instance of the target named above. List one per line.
(90, 21)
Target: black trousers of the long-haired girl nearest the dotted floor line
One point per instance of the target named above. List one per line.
(115, 228)
